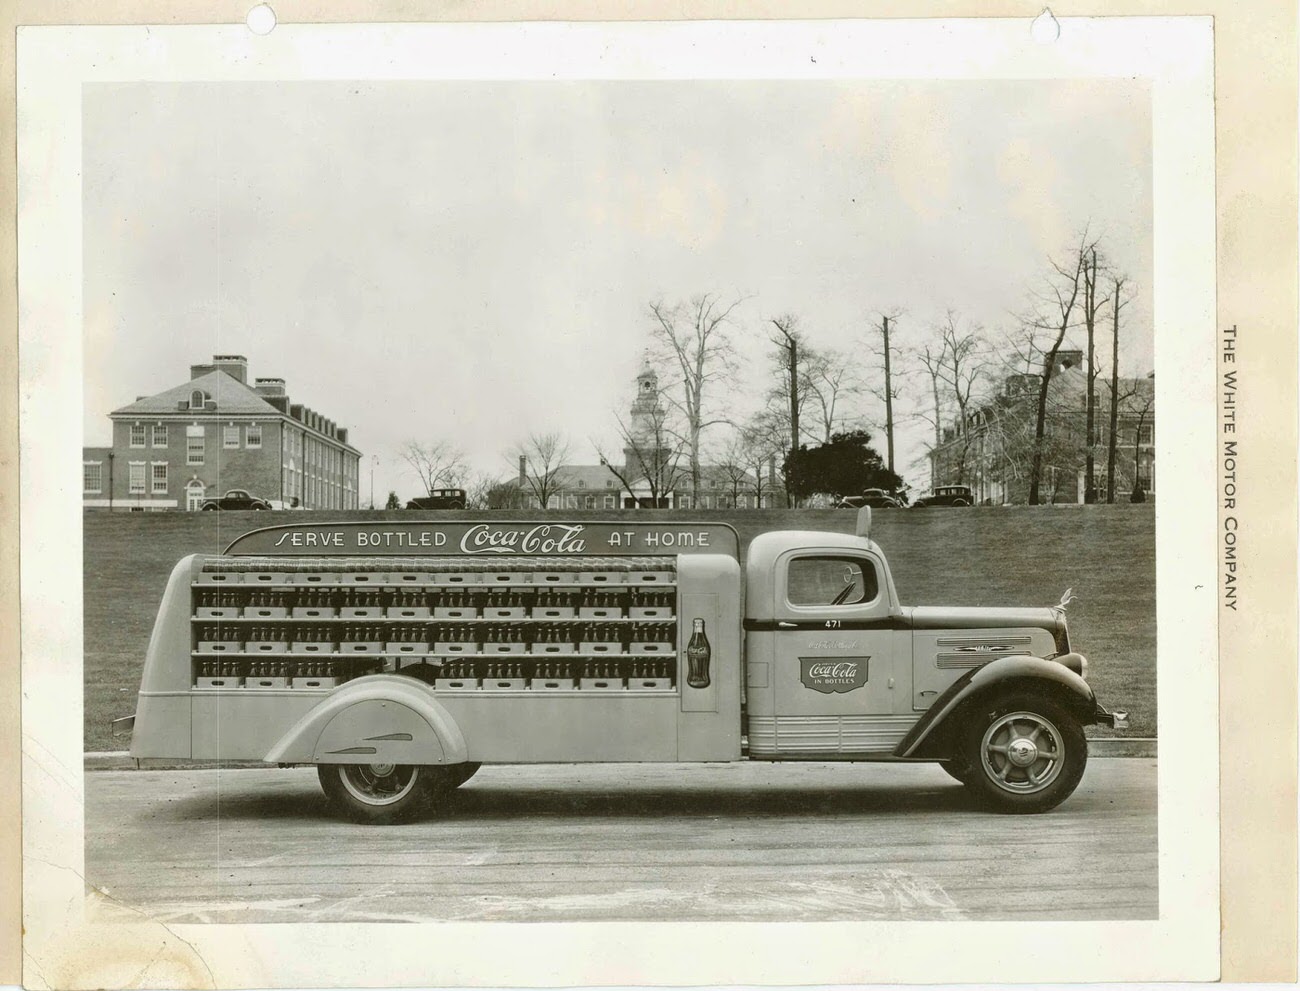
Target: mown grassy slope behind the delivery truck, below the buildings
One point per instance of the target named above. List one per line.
(972, 557)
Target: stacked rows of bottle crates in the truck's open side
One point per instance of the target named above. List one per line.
(590, 633)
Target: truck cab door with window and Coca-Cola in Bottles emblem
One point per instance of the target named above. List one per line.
(835, 657)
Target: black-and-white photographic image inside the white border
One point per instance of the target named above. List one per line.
(629, 499)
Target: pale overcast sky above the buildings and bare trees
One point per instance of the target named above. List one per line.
(475, 261)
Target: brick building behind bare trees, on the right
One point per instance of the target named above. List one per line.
(993, 449)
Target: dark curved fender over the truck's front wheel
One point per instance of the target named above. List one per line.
(930, 735)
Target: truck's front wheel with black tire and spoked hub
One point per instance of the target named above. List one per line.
(1026, 755)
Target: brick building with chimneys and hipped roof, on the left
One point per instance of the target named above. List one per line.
(214, 434)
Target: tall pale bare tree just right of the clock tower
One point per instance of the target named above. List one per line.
(695, 340)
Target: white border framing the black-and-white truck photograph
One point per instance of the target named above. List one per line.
(67, 946)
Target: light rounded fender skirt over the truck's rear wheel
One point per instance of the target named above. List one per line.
(374, 720)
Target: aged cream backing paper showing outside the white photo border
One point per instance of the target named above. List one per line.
(1256, 131)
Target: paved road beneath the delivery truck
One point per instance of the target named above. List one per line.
(812, 842)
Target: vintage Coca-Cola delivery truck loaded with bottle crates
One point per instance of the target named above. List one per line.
(401, 657)
